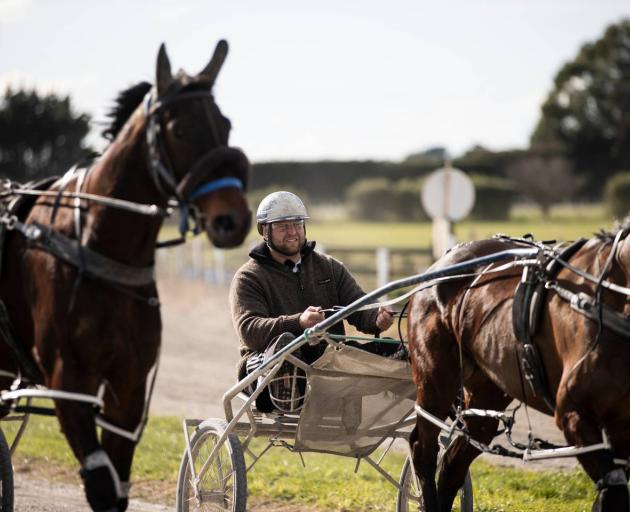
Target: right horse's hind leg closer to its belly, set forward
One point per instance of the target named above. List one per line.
(481, 393)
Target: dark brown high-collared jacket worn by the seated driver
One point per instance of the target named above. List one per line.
(267, 298)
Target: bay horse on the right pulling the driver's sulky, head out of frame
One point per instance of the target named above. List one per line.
(464, 351)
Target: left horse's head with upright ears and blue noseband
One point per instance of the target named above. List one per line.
(189, 155)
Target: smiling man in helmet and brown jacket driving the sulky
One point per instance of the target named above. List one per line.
(286, 285)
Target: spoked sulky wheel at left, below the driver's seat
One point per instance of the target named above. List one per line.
(223, 487)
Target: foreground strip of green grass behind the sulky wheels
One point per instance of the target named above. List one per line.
(328, 483)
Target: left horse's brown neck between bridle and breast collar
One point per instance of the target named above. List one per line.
(122, 173)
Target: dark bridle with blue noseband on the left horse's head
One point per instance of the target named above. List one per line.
(196, 181)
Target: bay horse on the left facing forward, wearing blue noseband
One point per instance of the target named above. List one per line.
(77, 282)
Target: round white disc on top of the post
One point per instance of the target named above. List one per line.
(448, 194)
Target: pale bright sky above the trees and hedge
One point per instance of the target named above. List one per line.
(326, 79)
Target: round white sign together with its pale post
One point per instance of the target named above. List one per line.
(448, 195)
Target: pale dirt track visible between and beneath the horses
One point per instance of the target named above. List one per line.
(199, 354)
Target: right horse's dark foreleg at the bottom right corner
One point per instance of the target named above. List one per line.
(611, 480)
